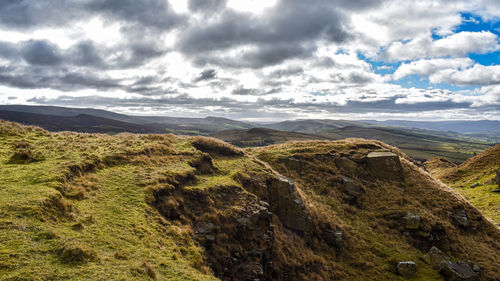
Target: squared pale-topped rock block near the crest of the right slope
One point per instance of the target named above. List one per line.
(385, 165)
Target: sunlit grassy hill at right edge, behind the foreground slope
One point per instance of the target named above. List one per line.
(480, 169)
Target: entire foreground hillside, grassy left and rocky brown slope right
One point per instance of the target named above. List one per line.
(163, 207)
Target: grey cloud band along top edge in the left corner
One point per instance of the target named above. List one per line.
(27, 14)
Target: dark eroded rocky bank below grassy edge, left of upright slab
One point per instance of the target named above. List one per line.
(238, 241)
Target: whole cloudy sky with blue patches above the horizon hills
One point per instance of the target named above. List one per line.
(255, 60)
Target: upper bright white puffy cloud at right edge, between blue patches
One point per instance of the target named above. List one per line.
(455, 45)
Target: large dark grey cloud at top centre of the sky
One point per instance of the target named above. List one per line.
(288, 30)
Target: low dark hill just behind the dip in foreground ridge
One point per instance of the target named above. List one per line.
(262, 137)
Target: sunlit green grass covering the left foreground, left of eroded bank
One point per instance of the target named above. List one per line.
(112, 234)
